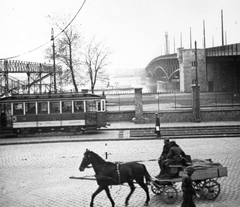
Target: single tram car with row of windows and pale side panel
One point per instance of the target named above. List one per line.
(30, 113)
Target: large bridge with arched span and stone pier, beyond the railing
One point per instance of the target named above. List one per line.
(218, 70)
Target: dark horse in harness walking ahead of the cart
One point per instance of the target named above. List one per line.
(108, 173)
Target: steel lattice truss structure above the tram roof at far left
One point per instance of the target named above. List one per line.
(36, 74)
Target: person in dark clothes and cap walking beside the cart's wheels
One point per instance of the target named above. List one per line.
(187, 188)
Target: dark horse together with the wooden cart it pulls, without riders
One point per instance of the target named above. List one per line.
(108, 173)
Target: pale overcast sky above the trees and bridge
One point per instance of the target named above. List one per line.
(133, 29)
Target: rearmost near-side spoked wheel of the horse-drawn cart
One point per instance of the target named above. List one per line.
(211, 189)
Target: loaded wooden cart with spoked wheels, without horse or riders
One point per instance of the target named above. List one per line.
(204, 182)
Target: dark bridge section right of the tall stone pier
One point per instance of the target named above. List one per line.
(223, 68)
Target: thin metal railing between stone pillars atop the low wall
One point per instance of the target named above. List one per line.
(173, 101)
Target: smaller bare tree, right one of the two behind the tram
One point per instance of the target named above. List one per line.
(96, 58)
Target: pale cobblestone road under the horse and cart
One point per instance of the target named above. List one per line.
(38, 174)
